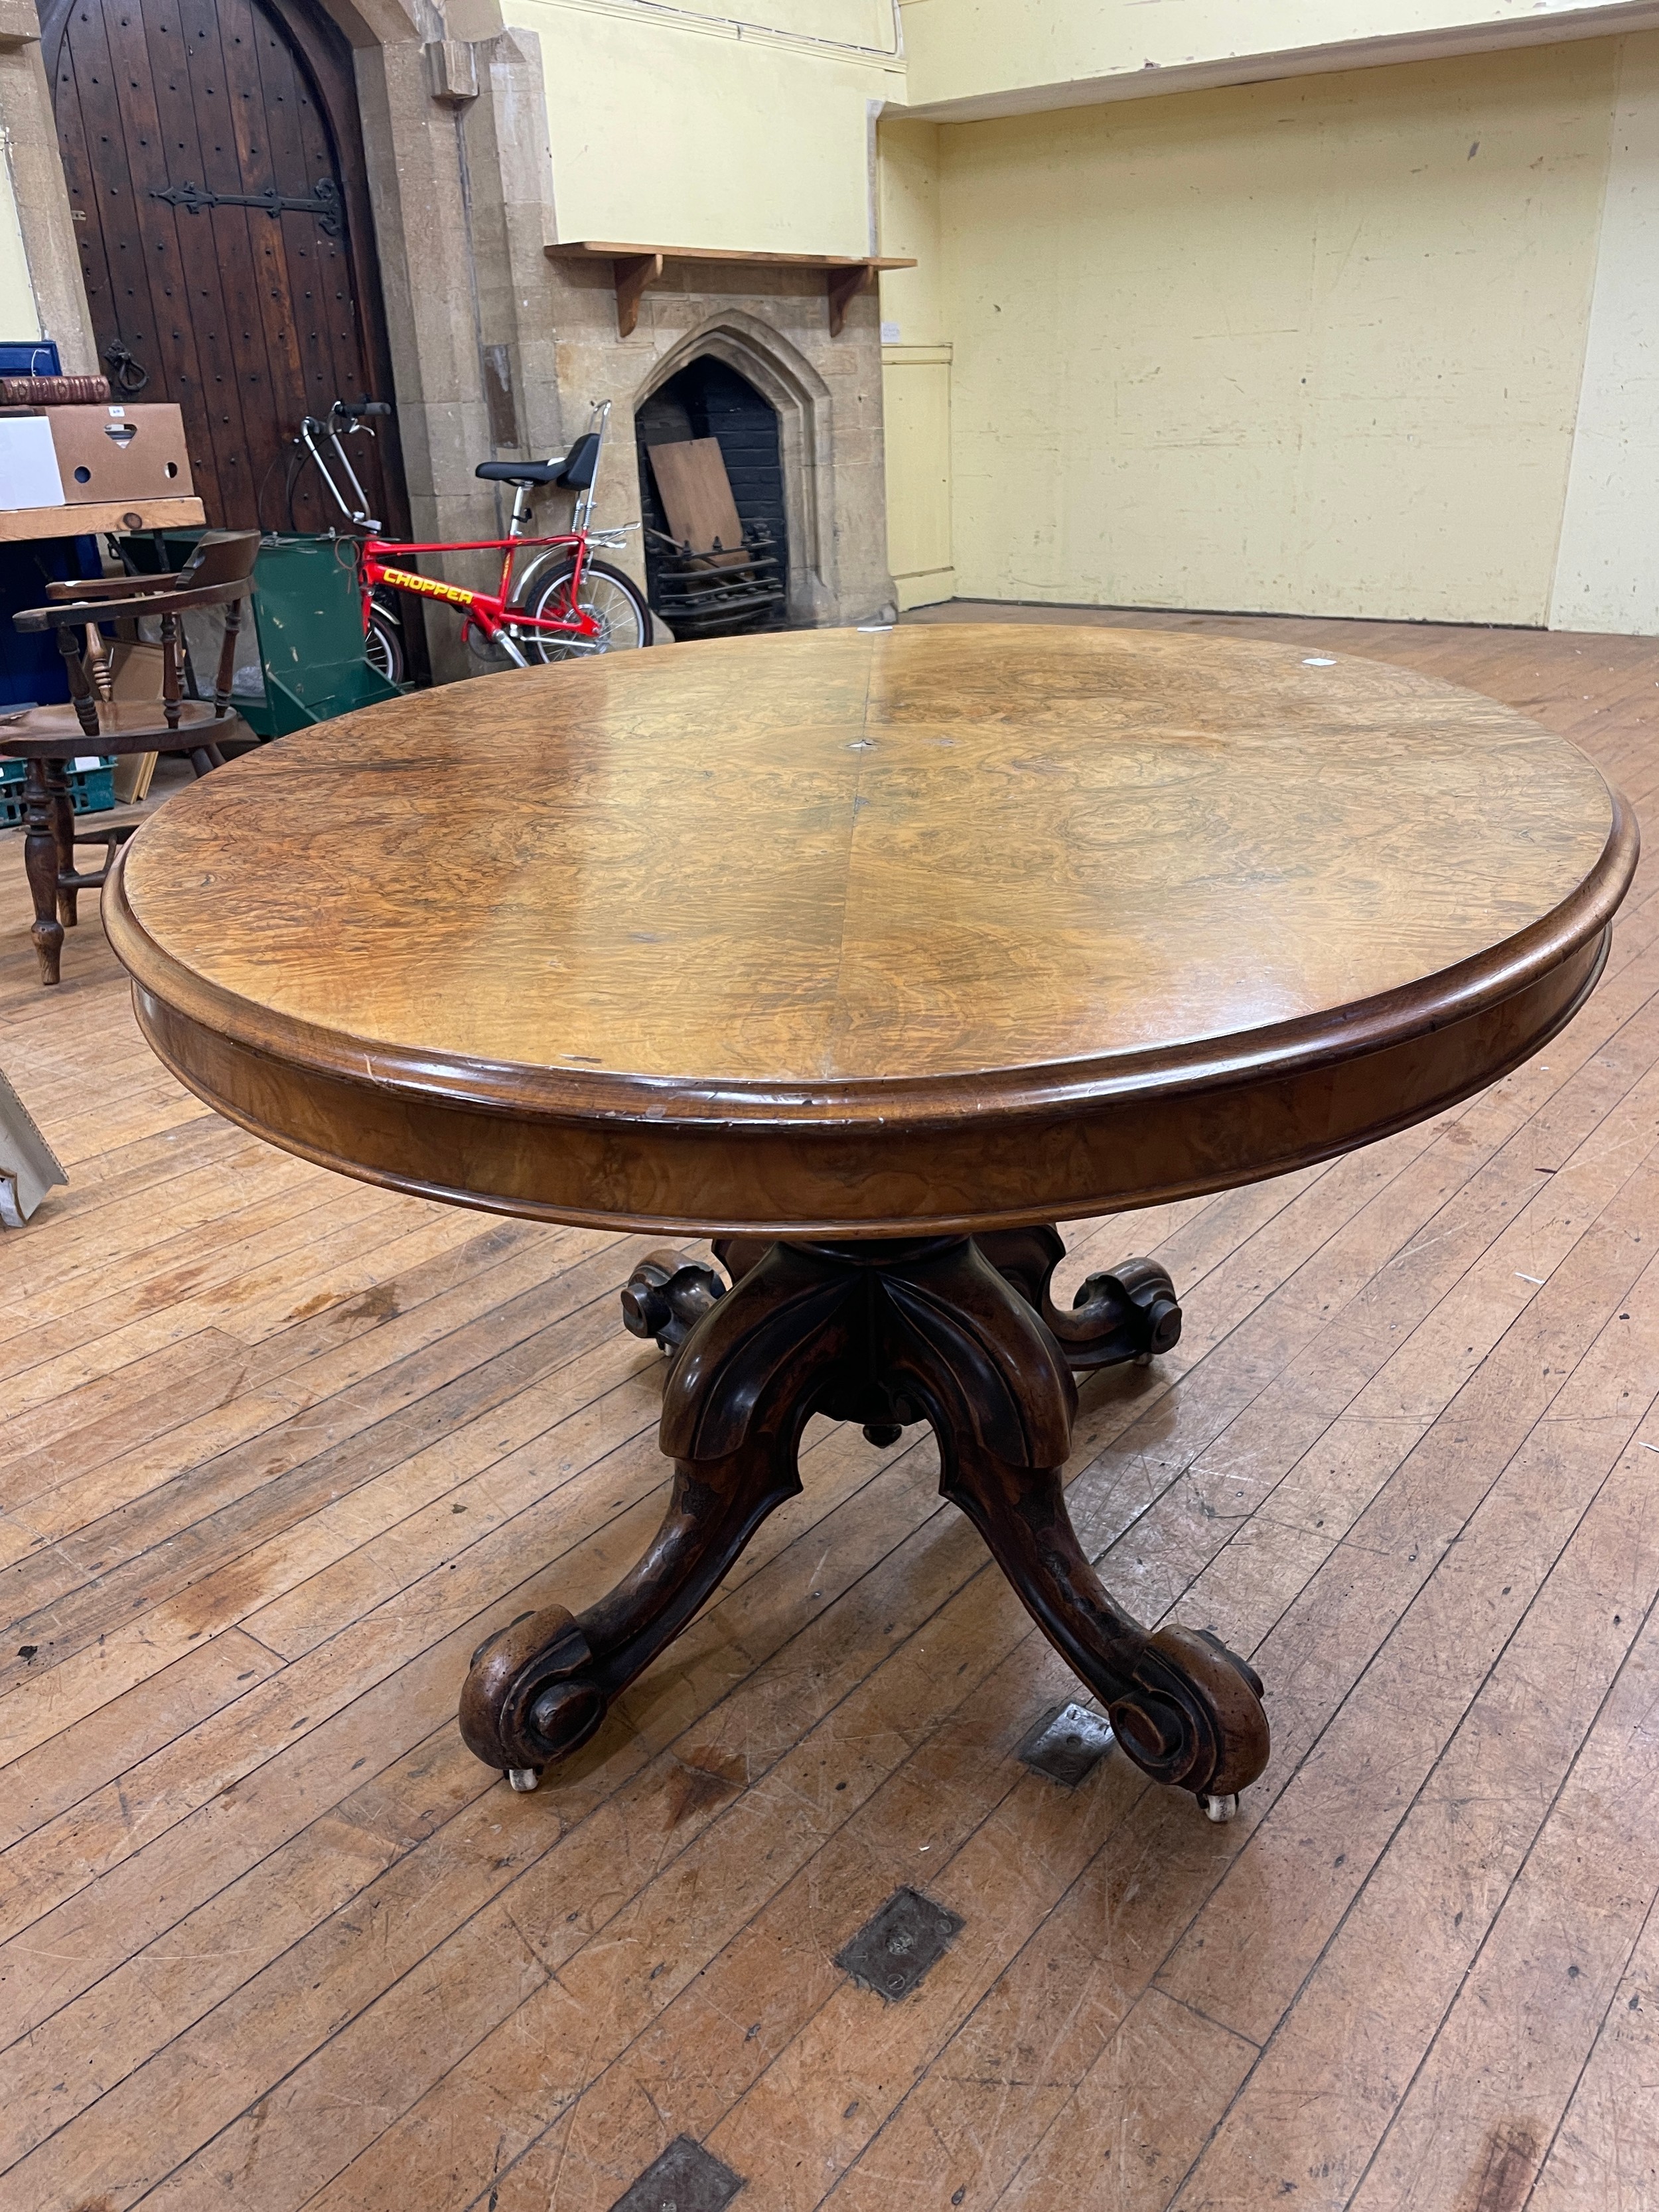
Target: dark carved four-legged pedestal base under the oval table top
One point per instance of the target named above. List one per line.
(950, 1331)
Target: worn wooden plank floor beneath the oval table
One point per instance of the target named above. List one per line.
(280, 1450)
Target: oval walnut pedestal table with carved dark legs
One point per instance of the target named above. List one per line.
(873, 957)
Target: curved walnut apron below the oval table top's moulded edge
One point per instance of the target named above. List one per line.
(802, 1180)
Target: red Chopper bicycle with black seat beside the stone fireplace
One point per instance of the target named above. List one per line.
(561, 607)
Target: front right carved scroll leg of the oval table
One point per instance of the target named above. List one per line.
(1182, 1704)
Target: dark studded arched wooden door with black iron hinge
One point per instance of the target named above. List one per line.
(216, 171)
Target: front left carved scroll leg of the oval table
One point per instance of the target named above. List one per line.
(733, 1415)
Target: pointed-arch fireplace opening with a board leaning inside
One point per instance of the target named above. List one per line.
(713, 589)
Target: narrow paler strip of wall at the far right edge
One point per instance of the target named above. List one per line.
(1607, 576)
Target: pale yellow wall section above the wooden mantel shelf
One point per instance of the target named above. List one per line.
(687, 127)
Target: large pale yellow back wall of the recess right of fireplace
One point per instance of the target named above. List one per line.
(1306, 346)
